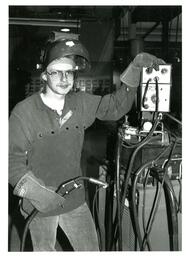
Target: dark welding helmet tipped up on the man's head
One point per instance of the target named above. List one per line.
(69, 48)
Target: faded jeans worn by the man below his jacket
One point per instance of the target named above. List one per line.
(78, 225)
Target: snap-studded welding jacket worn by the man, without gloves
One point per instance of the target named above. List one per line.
(50, 145)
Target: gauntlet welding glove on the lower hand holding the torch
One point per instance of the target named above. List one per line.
(41, 197)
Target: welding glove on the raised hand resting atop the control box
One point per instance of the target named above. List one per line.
(131, 75)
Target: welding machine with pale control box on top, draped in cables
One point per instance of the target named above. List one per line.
(147, 183)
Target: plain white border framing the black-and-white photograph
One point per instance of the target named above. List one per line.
(4, 110)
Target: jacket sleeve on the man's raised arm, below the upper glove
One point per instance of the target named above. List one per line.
(114, 106)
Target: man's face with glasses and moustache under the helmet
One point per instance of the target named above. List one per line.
(60, 76)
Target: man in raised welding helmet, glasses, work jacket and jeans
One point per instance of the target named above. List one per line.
(46, 137)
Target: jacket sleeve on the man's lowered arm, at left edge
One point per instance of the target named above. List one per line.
(18, 144)
